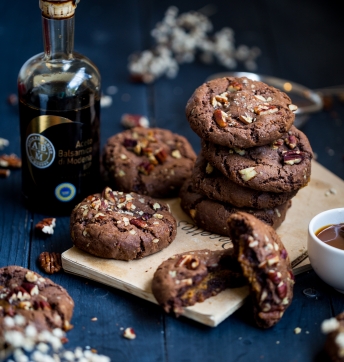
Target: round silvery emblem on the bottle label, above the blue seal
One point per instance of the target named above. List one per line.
(40, 151)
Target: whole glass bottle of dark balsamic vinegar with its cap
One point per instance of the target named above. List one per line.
(59, 110)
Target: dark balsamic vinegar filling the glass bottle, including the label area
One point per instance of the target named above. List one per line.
(60, 146)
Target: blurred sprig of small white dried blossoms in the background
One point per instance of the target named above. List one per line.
(179, 39)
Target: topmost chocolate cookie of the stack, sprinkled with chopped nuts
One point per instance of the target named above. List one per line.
(239, 112)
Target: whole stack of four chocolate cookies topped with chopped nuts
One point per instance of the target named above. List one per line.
(252, 159)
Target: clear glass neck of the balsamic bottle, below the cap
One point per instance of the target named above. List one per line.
(58, 38)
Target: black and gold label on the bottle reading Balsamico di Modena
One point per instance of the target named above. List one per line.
(59, 152)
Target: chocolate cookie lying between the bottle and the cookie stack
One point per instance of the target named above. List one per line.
(152, 162)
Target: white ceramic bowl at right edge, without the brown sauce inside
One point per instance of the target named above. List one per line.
(327, 261)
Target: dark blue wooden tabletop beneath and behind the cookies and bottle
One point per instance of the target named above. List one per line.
(299, 40)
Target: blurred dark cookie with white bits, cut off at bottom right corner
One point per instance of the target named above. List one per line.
(334, 345)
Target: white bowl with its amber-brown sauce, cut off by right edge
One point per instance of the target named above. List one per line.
(326, 246)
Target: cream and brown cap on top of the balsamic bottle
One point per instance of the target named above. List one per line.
(58, 9)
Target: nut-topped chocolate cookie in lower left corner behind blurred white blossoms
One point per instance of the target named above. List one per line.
(28, 298)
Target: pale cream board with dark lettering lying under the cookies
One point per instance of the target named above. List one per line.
(325, 191)
